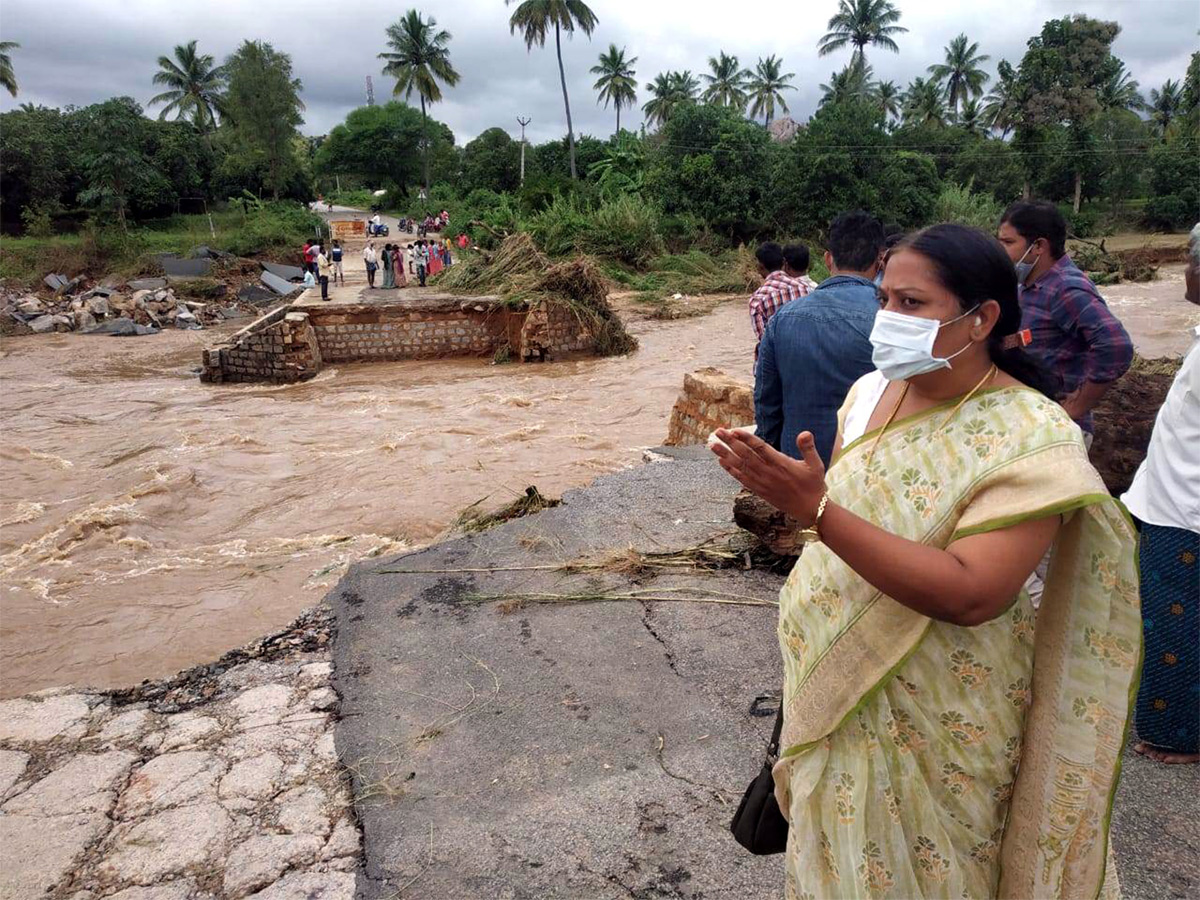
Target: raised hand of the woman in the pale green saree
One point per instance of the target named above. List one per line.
(793, 487)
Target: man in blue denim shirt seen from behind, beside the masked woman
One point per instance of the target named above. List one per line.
(815, 349)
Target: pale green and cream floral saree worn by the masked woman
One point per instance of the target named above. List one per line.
(928, 760)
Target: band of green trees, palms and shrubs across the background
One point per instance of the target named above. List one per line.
(662, 212)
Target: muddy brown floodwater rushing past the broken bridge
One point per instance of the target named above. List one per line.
(149, 523)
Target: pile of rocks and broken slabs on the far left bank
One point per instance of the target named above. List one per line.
(143, 308)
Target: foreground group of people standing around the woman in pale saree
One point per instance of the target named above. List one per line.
(926, 416)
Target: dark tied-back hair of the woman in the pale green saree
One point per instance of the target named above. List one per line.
(975, 268)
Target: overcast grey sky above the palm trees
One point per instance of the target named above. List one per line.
(80, 52)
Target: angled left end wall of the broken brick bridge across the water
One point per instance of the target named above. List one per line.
(281, 347)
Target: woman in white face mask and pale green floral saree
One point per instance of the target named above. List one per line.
(908, 640)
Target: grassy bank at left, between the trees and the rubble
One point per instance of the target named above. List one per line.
(266, 231)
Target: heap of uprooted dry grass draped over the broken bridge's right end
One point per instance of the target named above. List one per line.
(525, 278)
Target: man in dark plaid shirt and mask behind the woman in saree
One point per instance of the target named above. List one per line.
(1073, 332)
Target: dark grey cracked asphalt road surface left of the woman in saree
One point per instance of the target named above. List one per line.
(595, 745)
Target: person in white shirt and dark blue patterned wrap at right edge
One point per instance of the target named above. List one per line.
(1165, 497)
